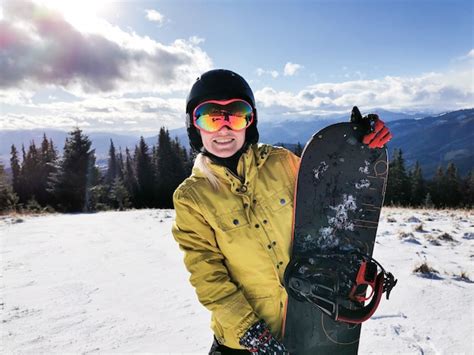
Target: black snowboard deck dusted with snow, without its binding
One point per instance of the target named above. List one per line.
(339, 193)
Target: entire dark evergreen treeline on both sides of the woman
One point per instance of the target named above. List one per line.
(147, 178)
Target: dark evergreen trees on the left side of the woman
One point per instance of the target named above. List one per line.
(42, 180)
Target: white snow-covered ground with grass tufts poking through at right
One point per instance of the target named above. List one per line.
(115, 282)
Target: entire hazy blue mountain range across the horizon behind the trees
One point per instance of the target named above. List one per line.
(433, 140)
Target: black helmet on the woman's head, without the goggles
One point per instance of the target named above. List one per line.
(219, 84)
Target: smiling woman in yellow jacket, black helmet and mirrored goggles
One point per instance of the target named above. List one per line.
(234, 215)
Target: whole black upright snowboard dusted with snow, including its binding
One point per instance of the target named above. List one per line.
(332, 281)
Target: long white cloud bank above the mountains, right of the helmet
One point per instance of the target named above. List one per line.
(427, 92)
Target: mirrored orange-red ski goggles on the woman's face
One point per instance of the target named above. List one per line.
(212, 115)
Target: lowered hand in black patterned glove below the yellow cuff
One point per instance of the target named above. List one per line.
(258, 339)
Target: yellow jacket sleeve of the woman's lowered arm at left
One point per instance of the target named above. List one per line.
(209, 275)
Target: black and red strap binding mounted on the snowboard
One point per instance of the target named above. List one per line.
(338, 283)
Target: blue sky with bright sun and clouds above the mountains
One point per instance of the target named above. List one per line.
(127, 66)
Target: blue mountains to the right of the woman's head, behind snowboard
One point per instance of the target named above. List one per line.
(433, 141)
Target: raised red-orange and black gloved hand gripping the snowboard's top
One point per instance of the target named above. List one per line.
(377, 133)
